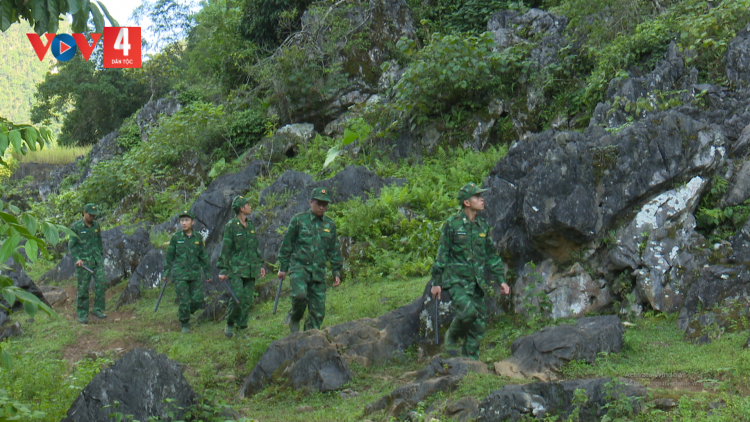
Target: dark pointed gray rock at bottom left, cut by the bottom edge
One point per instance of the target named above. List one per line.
(141, 381)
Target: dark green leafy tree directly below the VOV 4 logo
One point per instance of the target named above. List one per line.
(89, 101)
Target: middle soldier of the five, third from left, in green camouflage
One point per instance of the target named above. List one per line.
(240, 263)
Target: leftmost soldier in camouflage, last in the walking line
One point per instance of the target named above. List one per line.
(87, 250)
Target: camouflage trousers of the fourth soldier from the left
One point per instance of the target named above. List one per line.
(307, 294)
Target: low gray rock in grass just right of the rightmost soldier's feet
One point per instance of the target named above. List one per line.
(541, 354)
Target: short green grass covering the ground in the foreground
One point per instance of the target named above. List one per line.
(52, 366)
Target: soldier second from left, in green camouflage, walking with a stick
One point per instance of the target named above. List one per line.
(186, 257)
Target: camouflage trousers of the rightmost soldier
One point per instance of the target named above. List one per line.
(468, 321)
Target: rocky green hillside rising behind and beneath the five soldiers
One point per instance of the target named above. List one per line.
(613, 138)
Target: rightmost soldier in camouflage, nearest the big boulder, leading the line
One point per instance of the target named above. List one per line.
(465, 253)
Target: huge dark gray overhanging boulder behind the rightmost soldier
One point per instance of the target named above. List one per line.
(559, 190)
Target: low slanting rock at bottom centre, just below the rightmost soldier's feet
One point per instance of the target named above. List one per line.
(440, 375)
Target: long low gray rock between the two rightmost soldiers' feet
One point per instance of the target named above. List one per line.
(318, 360)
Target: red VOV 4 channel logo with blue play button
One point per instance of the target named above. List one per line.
(122, 46)
